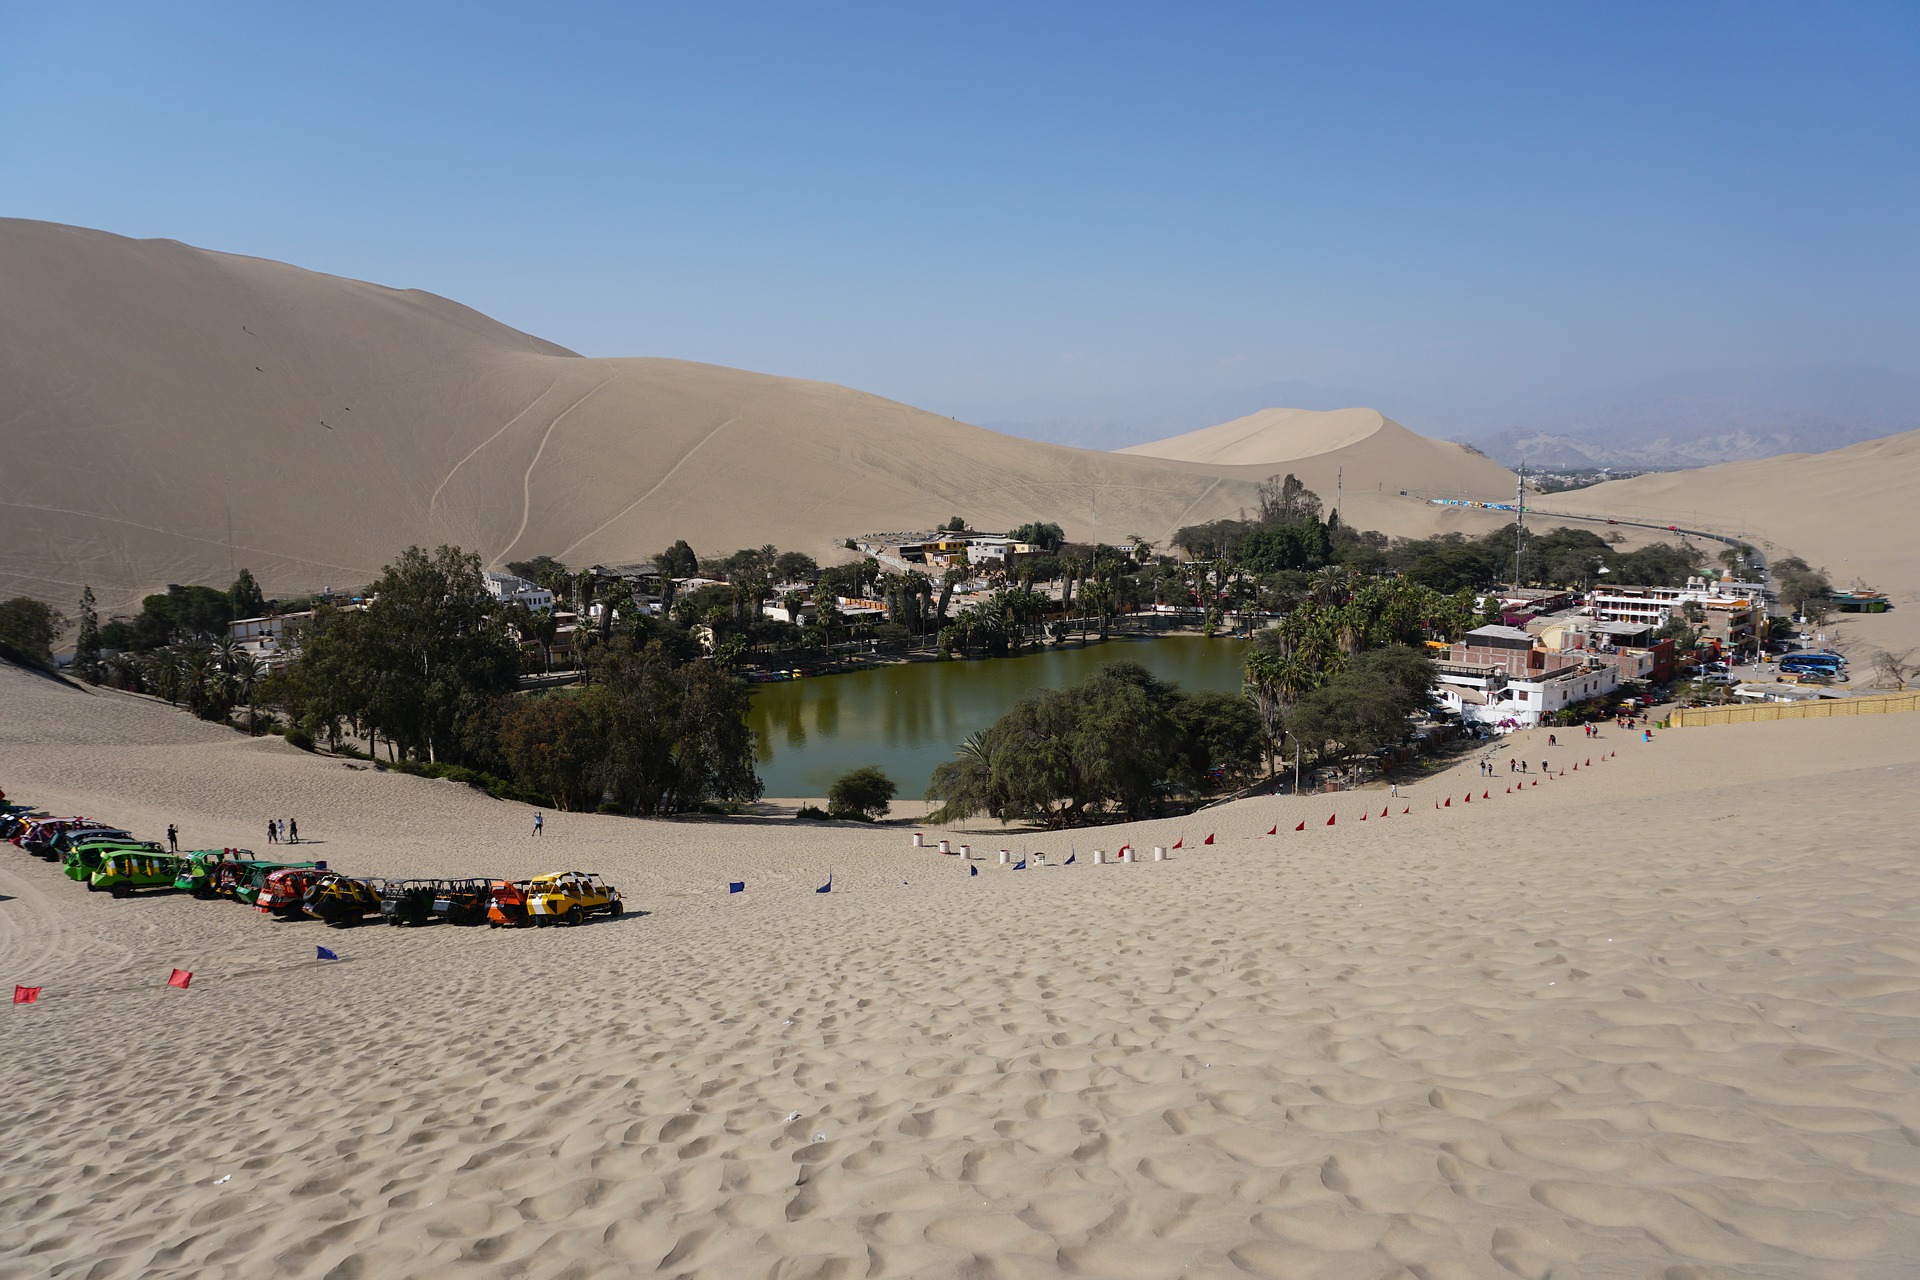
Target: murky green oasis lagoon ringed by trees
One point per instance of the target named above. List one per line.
(911, 717)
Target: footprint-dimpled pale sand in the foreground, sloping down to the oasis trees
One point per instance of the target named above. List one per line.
(1658, 1016)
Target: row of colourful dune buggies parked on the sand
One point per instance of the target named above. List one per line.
(108, 859)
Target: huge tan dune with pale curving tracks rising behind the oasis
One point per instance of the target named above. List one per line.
(178, 414)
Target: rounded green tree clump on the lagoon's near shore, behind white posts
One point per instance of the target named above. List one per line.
(1113, 746)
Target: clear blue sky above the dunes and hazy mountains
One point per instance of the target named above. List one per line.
(1017, 214)
